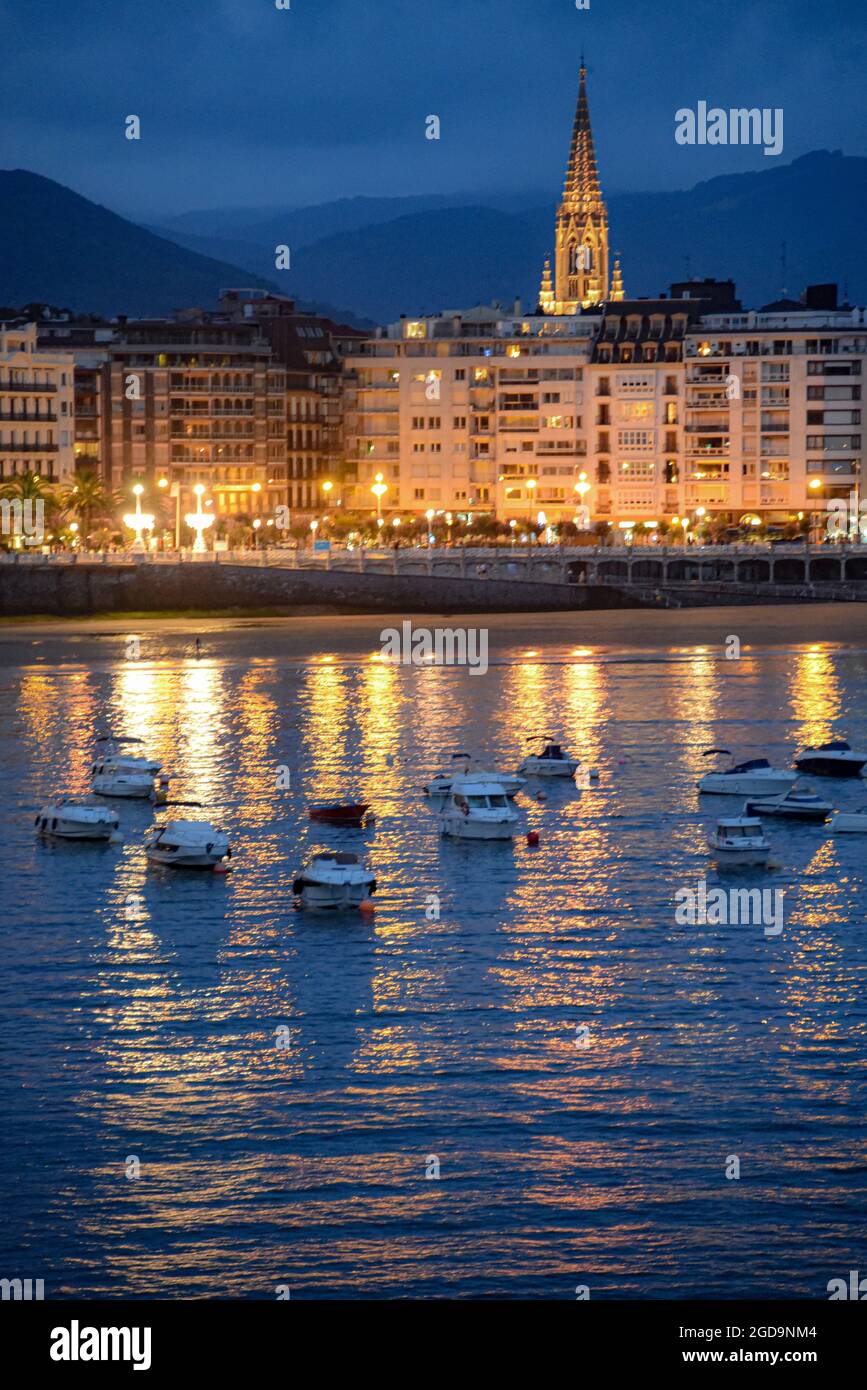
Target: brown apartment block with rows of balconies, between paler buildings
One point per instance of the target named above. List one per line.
(244, 401)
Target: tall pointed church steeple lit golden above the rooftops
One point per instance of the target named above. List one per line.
(581, 258)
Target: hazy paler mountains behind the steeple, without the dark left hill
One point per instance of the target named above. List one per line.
(443, 254)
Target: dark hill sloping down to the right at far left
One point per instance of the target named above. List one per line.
(63, 250)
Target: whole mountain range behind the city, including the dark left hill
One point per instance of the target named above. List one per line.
(386, 256)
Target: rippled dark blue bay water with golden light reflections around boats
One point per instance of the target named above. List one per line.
(141, 1010)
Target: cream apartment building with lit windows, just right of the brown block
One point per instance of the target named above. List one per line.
(476, 412)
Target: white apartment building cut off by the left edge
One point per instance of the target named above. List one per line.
(37, 408)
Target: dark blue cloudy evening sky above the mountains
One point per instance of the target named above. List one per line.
(244, 105)
